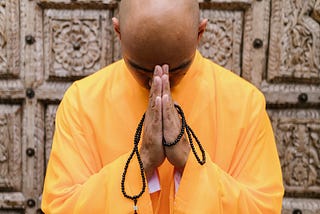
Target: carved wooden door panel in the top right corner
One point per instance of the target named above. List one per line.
(295, 41)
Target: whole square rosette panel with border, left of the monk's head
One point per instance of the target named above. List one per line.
(77, 43)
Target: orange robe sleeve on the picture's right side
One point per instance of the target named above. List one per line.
(255, 186)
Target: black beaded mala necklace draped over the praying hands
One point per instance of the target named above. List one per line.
(137, 136)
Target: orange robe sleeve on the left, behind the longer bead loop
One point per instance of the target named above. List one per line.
(76, 182)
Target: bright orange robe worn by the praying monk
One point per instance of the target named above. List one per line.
(95, 126)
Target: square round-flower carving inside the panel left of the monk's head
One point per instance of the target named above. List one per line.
(76, 47)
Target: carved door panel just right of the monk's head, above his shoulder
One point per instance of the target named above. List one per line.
(222, 39)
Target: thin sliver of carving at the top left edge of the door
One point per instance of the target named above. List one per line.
(3, 62)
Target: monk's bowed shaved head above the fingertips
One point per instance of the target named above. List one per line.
(157, 32)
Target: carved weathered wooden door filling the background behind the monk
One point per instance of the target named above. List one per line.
(45, 45)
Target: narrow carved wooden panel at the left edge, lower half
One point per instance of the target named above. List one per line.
(10, 148)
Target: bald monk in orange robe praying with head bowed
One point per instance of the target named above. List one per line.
(108, 158)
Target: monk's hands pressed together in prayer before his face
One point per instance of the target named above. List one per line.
(162, 121)
